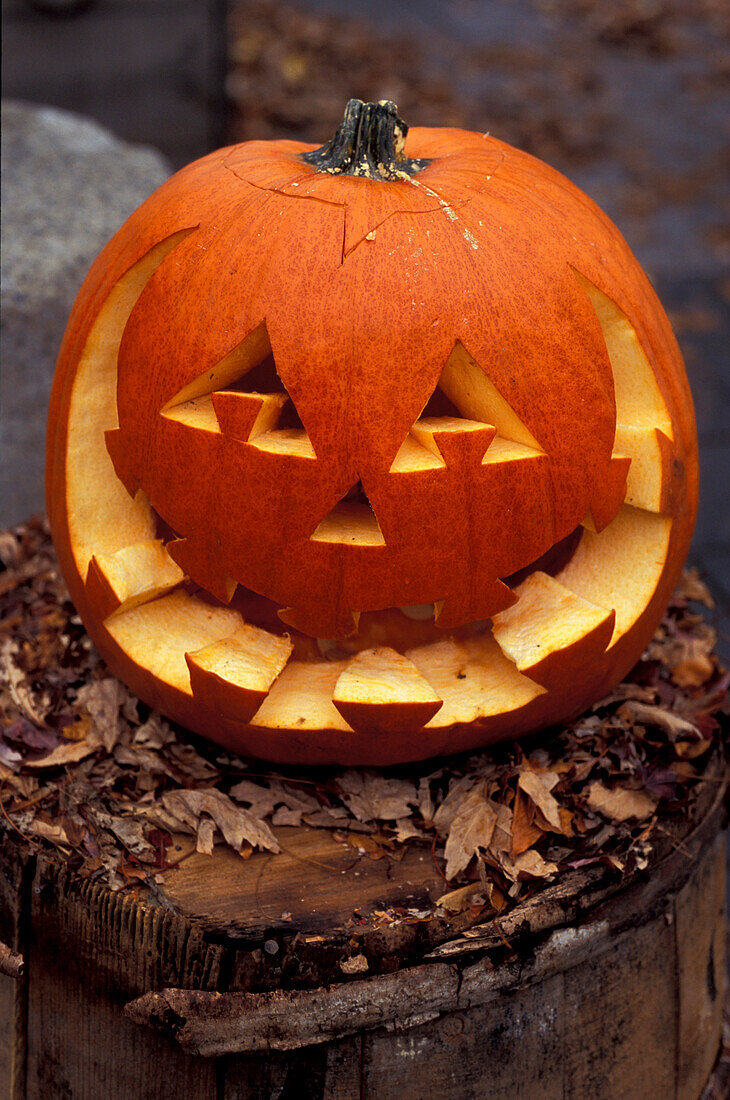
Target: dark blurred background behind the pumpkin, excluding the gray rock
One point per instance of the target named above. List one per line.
(629, 98)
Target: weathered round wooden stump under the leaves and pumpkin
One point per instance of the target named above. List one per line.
(251, 980)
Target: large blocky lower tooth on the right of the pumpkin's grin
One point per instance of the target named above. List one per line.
(551, 633)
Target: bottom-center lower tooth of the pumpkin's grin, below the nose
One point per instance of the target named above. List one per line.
(382, 691)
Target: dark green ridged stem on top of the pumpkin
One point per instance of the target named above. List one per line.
(369, 142)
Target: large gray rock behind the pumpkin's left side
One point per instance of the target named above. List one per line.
(68, 186)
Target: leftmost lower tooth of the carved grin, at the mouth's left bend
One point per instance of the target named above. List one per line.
(134, 576)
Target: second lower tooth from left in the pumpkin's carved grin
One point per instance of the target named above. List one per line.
(236, 675)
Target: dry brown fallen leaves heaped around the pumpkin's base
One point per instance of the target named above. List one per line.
(91, 771)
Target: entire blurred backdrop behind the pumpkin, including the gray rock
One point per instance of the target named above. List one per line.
(632, 100)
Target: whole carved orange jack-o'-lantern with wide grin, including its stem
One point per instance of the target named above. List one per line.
(369, 468)
